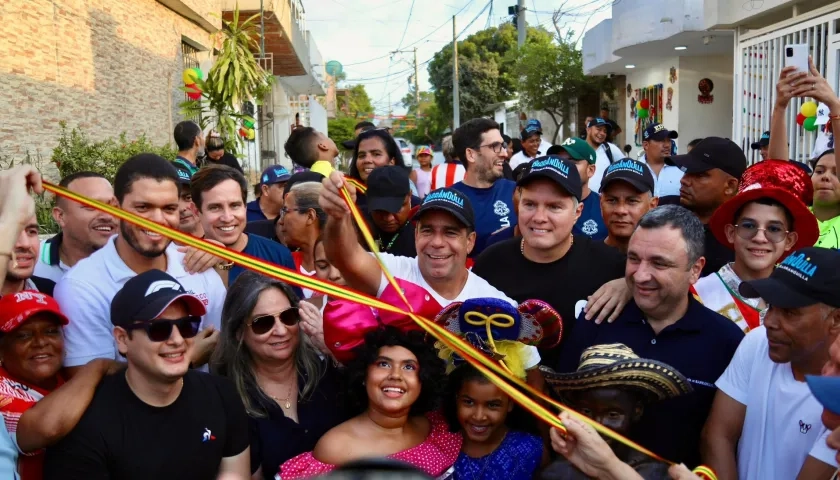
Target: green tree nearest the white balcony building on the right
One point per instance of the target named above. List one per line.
(552, 78)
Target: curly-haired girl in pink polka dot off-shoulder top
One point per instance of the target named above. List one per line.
(395, 381)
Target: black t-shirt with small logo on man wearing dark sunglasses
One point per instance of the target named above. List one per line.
(119, 436)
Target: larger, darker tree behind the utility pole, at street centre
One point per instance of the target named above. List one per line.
(486, 69)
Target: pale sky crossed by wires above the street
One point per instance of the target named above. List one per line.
(361, 34)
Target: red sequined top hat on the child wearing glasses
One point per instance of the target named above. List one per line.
(782, 181)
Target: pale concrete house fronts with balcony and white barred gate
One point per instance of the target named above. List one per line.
(736, 47)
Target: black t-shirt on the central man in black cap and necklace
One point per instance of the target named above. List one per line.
(562, 284)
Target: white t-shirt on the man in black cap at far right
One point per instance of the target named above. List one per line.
(782, 426)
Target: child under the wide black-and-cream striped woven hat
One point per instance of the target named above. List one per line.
(612, 386)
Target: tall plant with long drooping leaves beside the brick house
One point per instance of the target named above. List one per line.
(236, 77)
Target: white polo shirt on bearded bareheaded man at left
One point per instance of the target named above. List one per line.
(85, 293)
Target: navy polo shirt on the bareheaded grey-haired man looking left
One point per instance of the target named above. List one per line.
(700, 345)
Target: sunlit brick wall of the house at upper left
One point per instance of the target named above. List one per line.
(106, 66)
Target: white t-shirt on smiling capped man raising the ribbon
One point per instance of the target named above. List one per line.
(407, 268)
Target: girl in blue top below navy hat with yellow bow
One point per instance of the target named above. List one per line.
(482, 412)
